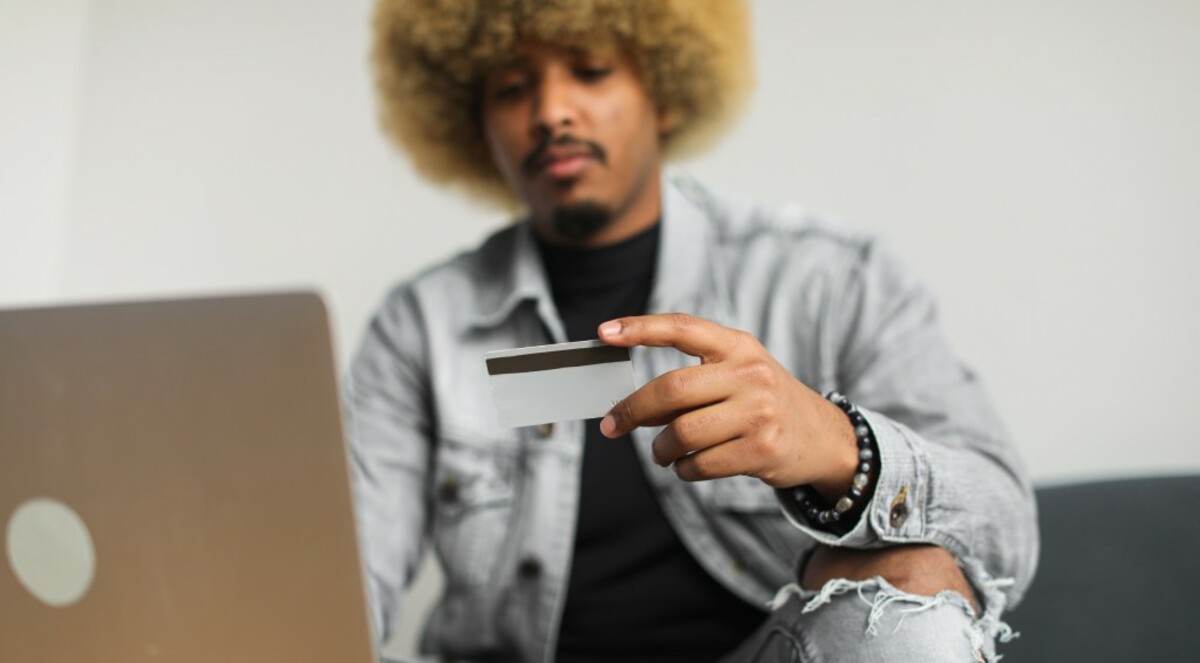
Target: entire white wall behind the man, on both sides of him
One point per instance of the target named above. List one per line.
(1037, 164)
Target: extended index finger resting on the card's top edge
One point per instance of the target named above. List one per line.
(693, 336)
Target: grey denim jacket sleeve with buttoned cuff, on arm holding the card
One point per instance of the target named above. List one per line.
(950, 474)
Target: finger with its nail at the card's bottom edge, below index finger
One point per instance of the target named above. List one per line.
(667, 397)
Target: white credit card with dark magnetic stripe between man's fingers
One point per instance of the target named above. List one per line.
(559, 383)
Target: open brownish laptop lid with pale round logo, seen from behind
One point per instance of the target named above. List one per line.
(175, 486)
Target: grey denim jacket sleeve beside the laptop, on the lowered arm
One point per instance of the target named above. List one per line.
(391, 431)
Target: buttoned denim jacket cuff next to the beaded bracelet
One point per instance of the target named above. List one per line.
(898, 510)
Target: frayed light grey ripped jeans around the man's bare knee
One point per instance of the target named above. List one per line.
(873, 622)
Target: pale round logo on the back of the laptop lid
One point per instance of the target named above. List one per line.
(51, 552)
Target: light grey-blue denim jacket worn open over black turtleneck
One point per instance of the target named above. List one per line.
(434, 468)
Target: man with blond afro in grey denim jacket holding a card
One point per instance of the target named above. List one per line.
(890, 524)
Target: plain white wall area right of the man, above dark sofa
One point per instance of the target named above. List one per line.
(1039, 164)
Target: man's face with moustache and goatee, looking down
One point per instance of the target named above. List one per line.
(577, 136)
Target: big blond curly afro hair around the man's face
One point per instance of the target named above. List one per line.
(430, 58)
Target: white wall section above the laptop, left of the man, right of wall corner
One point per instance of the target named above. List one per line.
(232, 147)
